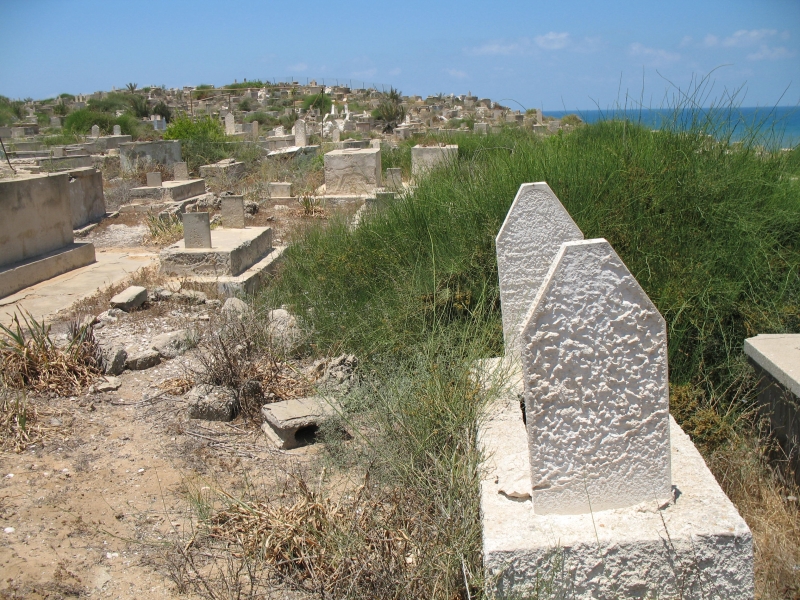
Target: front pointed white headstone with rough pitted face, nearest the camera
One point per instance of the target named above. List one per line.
(594, 361)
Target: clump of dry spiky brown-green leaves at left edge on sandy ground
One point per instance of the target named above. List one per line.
(30, 359)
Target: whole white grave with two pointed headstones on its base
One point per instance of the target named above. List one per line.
(597, 489)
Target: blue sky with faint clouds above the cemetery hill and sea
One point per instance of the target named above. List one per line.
(553, 55)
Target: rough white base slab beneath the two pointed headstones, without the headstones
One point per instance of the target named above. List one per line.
(694, 547)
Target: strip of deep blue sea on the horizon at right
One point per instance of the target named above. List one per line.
(777, 127)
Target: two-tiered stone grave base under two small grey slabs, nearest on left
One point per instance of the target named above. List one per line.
(238, 260)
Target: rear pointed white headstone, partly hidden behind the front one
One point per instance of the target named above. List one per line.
(534, 229)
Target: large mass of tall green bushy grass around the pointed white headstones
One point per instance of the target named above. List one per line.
(710, 230)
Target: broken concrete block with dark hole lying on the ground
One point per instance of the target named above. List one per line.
(294, 423)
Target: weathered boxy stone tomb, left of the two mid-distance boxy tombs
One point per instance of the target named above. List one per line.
(352, 171)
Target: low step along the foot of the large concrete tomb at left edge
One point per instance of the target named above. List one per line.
(16, 277)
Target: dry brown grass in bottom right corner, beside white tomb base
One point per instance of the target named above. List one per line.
(770, 504)
